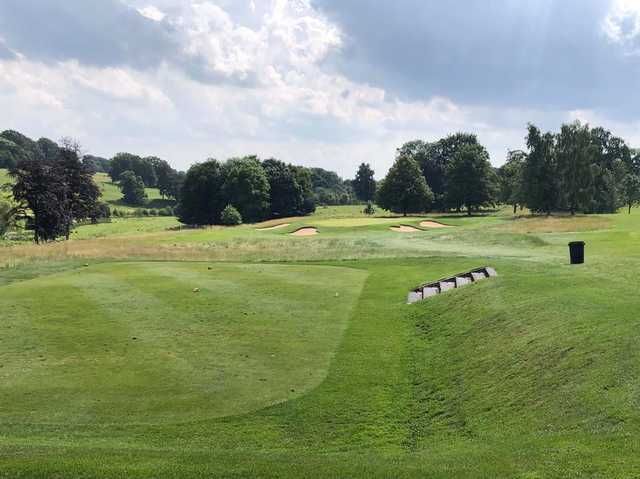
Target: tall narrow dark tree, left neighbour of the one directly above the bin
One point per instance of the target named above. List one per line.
(540, 176)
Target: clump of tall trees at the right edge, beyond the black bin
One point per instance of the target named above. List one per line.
(578, 169)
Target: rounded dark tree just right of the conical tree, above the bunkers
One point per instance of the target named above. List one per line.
(470, 179)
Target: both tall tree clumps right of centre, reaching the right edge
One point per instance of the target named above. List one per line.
(578, 169)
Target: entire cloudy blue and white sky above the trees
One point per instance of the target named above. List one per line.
(325, 83)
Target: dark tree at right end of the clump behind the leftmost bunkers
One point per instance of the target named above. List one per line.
(285, 194)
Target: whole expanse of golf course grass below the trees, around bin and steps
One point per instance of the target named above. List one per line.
(531, 374)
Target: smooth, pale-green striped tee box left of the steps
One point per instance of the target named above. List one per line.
(154, 351)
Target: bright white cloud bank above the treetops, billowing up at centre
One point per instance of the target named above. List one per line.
(268, 91)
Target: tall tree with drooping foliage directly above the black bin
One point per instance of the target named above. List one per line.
(575, 158)
